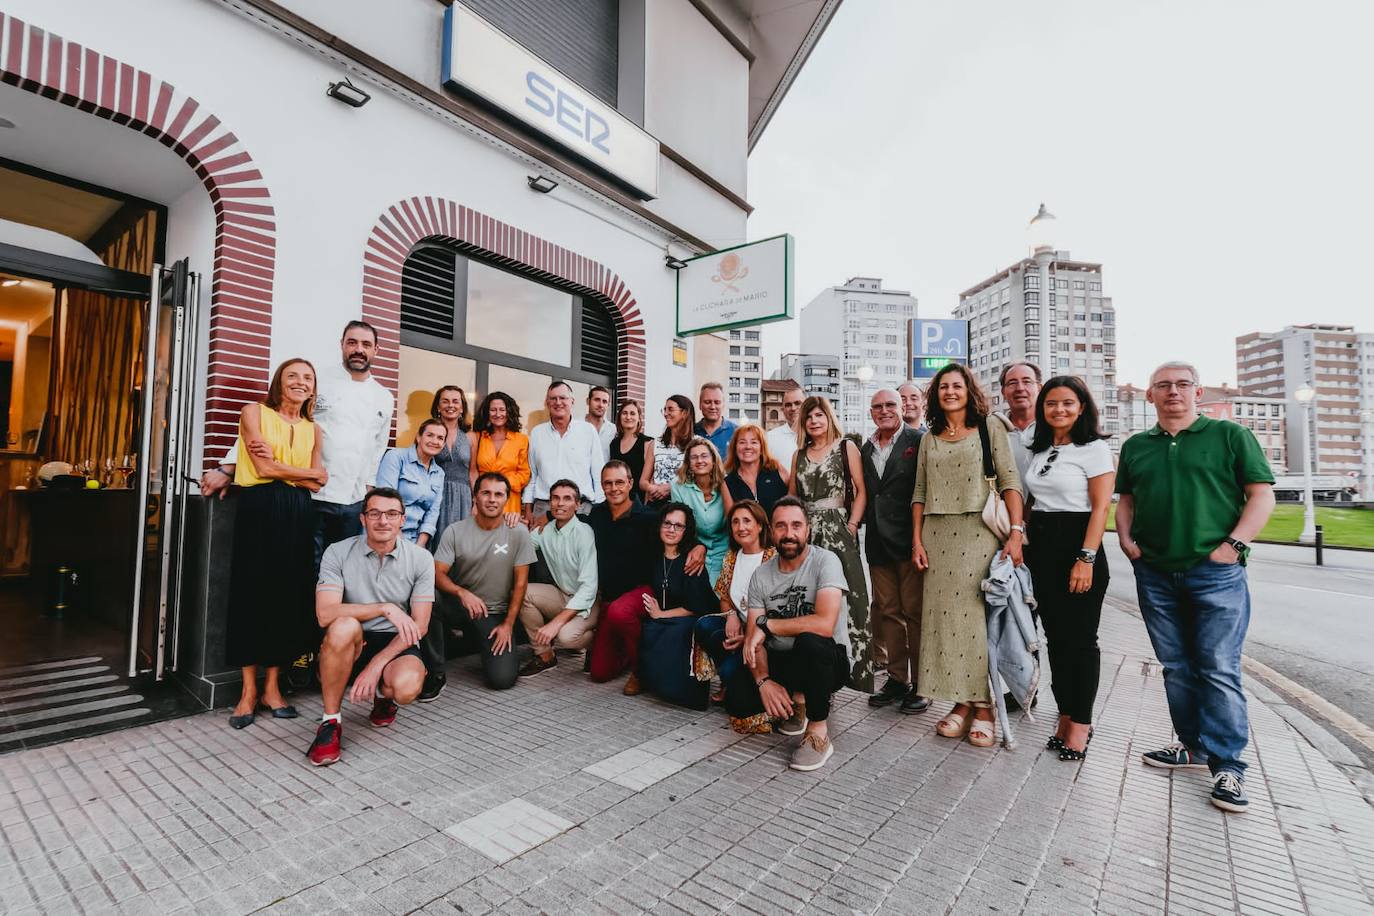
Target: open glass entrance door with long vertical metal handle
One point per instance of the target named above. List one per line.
(164, 474)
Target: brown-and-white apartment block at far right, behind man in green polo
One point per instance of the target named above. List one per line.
(1339, 365)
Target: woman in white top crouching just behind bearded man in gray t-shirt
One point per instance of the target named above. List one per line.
(719, 637)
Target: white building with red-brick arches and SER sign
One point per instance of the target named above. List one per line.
(493, 248)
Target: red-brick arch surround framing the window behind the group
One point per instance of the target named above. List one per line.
(414, 220)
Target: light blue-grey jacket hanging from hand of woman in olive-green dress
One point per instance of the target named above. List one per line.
(1012, 638)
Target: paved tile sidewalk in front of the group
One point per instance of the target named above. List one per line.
(652, 808)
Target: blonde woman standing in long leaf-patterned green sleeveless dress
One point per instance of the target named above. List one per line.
(828, 476)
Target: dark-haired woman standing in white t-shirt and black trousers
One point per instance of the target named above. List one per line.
(1070, 480)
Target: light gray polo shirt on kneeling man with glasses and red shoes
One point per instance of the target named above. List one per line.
(366, 577)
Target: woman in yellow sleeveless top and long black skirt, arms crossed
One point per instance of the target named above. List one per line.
(271, 617)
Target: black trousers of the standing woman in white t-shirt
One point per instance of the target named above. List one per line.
(1071, 620)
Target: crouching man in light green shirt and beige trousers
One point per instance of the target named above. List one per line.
(561, 616)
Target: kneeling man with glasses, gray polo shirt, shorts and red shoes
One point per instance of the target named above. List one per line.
(374, 601)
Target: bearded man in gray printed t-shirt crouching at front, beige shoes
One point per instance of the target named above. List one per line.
(798, 643)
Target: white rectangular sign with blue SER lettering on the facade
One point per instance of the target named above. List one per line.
(483, 61)
